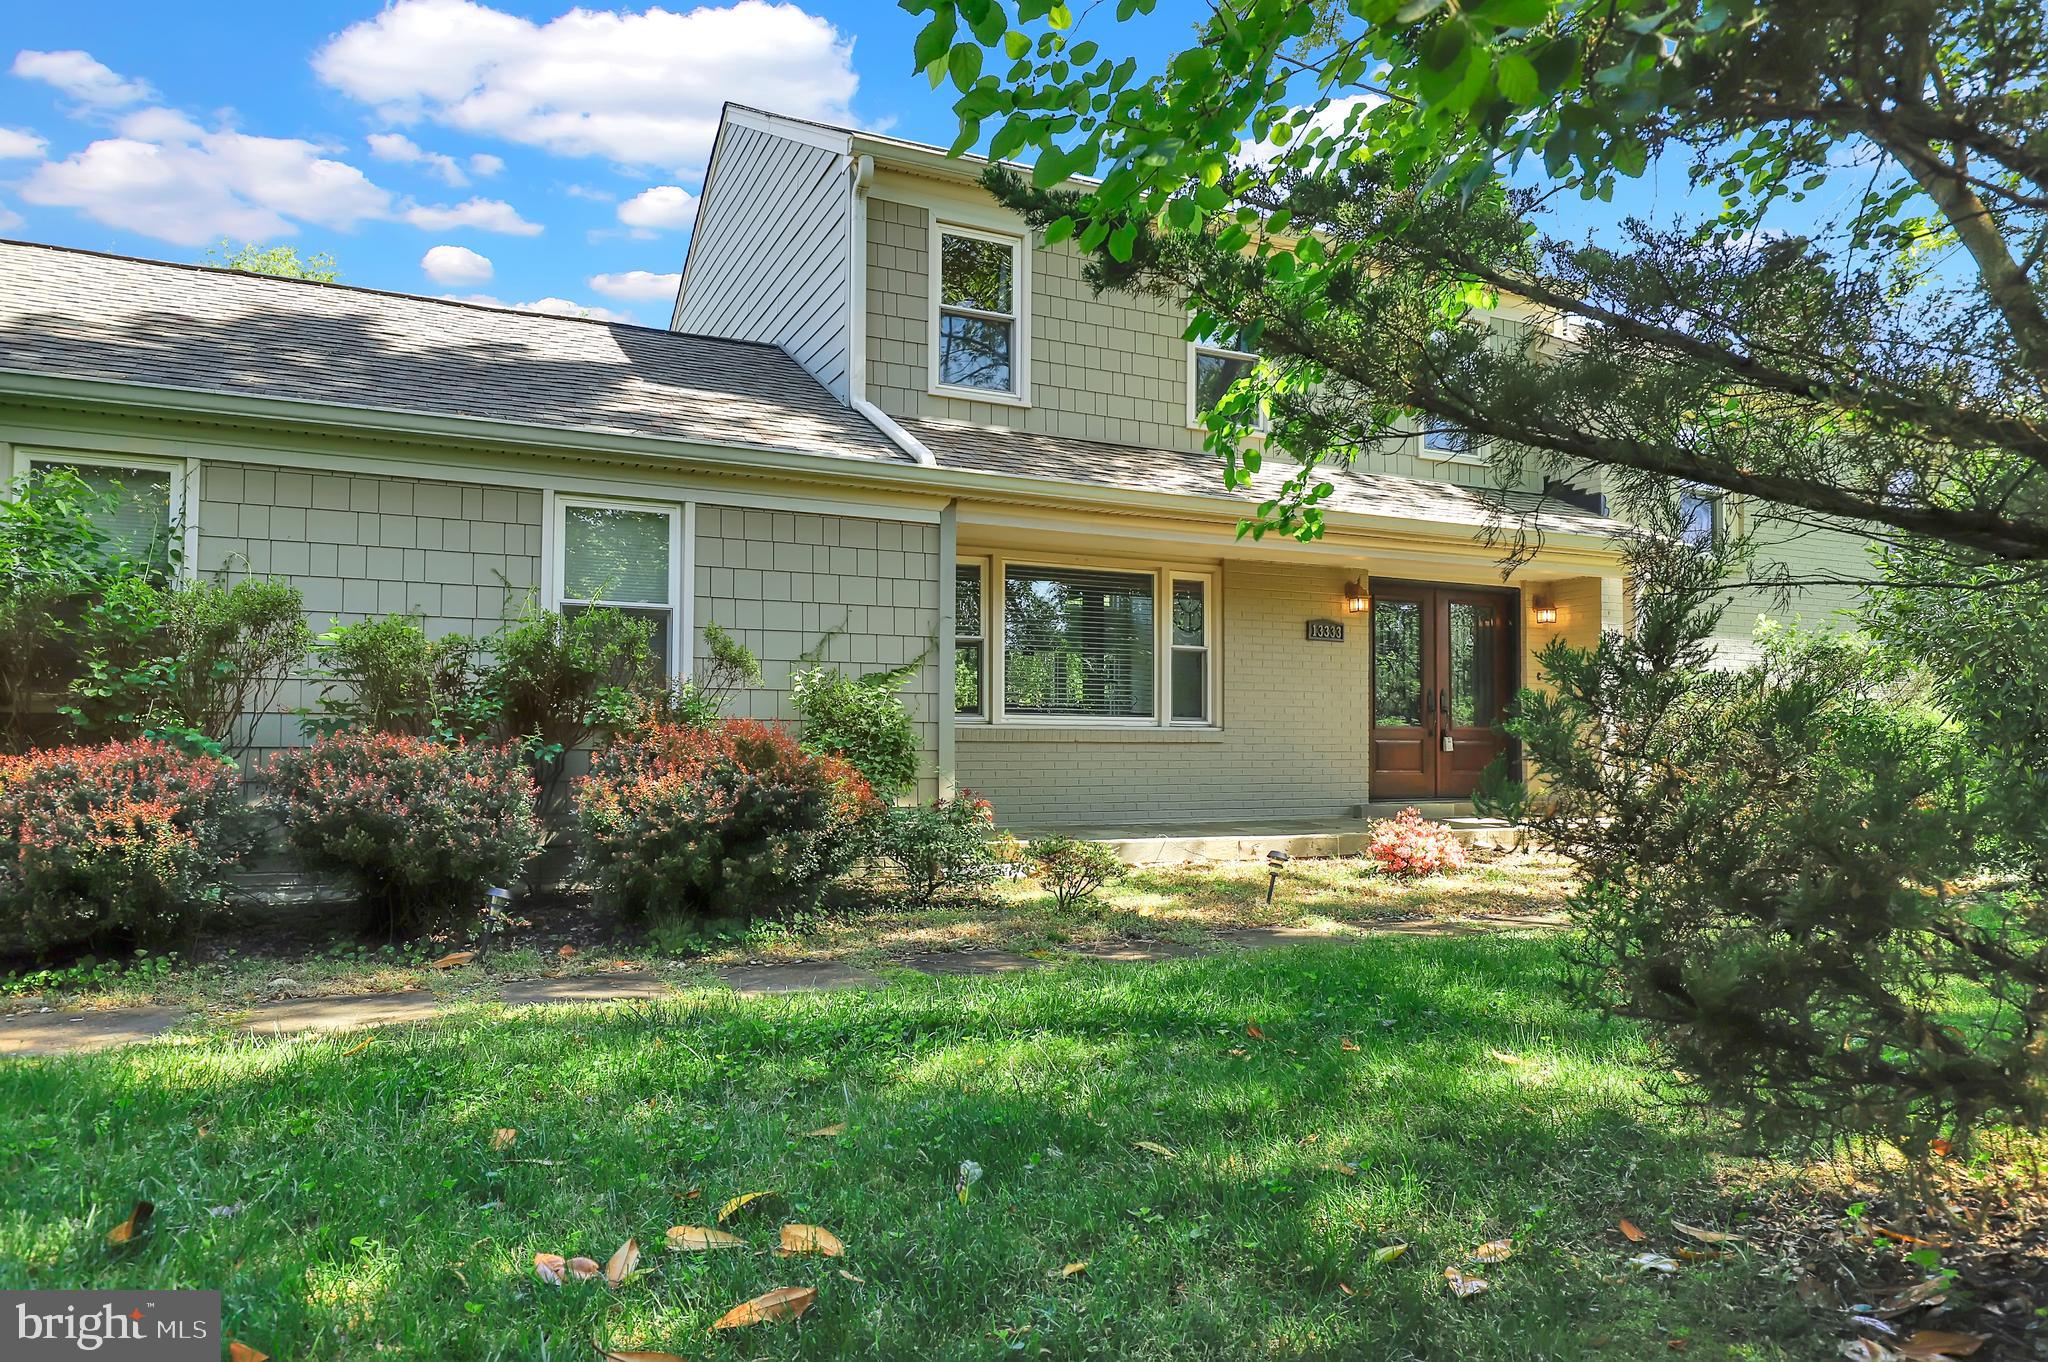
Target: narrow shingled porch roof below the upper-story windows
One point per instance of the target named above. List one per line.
(959, 445)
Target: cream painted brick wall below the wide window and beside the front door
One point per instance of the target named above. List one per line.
(1293, 738)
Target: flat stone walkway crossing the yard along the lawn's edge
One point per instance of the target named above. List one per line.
(87, 1031)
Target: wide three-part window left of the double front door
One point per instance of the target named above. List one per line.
(1091, 646)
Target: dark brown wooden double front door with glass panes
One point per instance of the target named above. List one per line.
(1443, 677)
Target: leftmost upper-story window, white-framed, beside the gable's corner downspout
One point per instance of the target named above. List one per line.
(978, 321)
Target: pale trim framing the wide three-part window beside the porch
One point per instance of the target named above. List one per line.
(996, 574)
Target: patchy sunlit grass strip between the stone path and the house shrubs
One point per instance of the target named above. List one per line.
(296, 953)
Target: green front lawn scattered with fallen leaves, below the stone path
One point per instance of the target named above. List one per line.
(378, 1220)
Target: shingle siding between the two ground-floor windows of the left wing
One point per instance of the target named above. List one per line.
(361, 548)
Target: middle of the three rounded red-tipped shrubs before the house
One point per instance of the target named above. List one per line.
(421, 828)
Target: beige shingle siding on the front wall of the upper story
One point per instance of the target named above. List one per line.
(1111, 368)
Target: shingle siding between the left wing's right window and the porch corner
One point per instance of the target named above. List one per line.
(781, 581)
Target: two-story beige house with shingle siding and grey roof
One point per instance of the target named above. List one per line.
(884, 419)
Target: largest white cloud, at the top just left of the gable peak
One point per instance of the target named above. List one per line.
(642, 89)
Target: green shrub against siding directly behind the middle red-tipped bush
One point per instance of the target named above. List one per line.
(388, 677)
